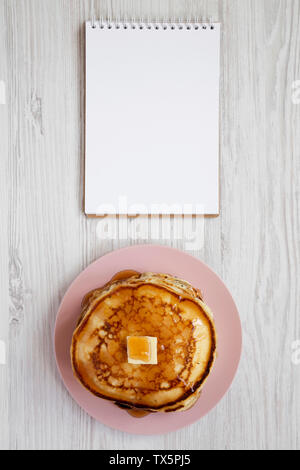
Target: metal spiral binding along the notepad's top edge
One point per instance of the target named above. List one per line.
(149, 24)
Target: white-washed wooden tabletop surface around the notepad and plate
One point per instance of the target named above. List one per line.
(46, 240)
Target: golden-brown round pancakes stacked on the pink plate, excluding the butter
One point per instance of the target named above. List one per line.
(154, 305)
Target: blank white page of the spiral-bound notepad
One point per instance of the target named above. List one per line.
(152, 120)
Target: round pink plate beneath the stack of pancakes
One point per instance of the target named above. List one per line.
(160, 259)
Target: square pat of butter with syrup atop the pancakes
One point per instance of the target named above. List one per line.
(142, 349)
